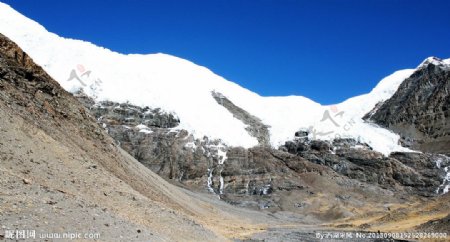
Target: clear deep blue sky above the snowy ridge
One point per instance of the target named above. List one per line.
(326, 50)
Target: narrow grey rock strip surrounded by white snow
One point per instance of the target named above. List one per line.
(255, 128)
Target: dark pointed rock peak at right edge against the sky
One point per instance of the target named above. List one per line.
(419, 111)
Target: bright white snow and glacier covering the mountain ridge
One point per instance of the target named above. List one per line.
(180, 86)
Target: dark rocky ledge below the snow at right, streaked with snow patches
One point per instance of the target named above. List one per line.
(414, 173)
